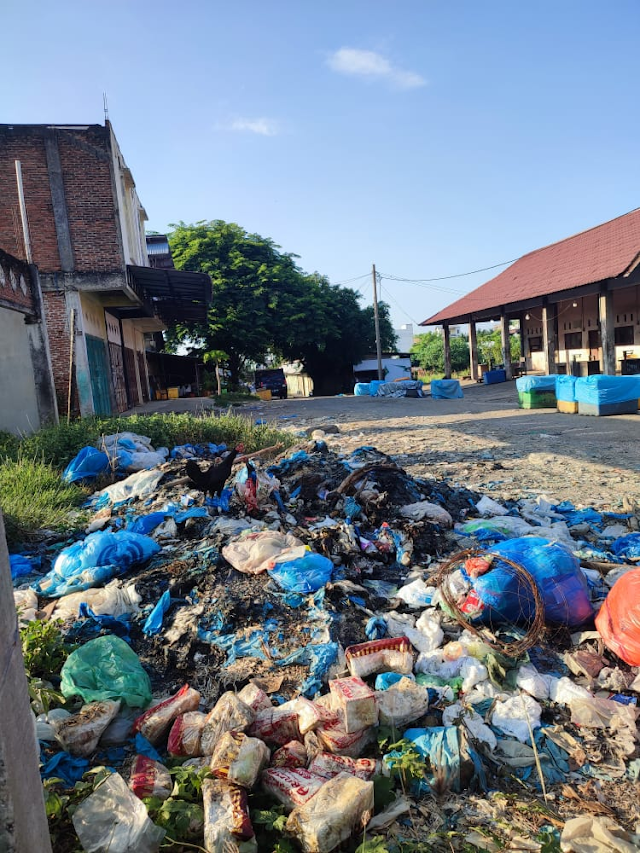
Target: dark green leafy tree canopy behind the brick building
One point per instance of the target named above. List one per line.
(263, 303)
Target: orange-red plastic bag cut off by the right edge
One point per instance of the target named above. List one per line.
(619, 618)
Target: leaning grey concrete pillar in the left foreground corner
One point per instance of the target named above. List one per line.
(23, 823)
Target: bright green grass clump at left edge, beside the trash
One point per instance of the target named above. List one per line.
(33, 496)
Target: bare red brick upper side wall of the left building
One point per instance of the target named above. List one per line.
(85, 157)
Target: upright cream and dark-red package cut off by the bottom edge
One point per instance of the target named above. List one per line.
(227, 825)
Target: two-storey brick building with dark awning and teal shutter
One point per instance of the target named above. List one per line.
(86, 236)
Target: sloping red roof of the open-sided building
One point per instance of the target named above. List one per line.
(606, 251)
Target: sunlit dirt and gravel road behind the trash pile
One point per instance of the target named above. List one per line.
(483, 441)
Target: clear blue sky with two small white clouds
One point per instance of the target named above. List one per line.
(428, 137)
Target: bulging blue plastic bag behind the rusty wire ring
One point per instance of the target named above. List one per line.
(556, 572)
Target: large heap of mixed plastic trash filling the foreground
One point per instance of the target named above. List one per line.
(339, 653)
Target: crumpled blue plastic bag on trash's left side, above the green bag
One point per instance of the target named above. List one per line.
(96, 559)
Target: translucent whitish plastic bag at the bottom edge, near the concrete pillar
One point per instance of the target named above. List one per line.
(114, 820)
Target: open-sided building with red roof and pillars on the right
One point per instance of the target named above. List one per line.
(576, 302)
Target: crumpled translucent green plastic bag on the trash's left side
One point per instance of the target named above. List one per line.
(106, 668)
